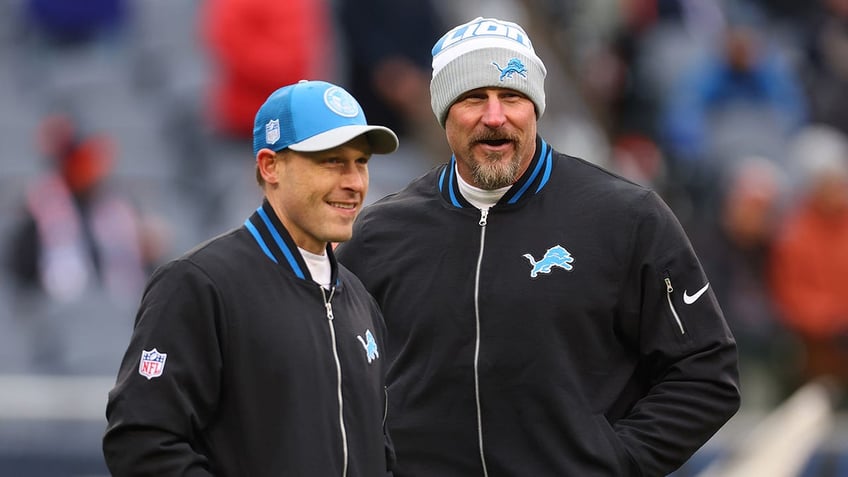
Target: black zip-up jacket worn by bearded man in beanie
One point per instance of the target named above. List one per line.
(568, 331)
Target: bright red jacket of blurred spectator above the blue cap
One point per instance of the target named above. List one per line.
(256, 46)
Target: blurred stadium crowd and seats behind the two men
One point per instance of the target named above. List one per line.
(125, 131)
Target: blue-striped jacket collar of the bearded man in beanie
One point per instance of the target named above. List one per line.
(529, 184)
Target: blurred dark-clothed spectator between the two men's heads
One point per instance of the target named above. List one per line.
(386, 54)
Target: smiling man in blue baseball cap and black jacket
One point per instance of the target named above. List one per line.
(256, 353)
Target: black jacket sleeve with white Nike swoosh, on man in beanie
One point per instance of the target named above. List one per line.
(688, 357)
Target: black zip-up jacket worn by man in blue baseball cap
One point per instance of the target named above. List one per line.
(257, 370)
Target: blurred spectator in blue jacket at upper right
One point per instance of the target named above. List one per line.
(740, 99)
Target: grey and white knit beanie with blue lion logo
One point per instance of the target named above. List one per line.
(485, 52)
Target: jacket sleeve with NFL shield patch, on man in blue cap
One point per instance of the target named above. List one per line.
(157, 411)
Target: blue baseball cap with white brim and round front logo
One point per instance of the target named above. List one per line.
(312, 116)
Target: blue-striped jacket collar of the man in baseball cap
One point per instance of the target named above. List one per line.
(277, 244)
